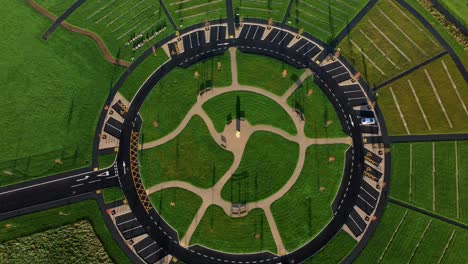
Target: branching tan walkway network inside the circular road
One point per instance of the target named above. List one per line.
(235, 142)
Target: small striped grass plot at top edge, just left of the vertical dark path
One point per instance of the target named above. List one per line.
(190, 12)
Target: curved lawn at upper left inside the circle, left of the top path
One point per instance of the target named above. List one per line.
(177, 92)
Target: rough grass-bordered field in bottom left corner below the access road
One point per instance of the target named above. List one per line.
(20, 230)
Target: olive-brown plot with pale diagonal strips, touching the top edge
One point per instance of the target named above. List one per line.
(388, 41)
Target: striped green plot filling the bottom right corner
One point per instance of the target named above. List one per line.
(407, 236)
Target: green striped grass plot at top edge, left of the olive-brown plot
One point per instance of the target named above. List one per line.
(323, 19)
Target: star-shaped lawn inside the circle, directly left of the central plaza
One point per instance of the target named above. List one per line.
(192, 156)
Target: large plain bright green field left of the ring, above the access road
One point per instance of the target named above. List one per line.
(54, 91)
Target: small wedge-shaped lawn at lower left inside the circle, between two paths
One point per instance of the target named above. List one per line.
(177, 206)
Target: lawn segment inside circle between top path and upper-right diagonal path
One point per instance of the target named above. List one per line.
(265, 72)
